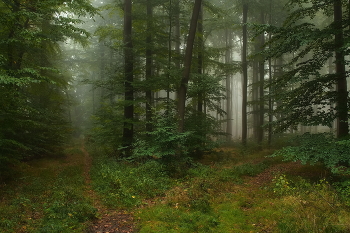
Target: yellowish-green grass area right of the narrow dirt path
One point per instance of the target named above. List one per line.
(219, 198)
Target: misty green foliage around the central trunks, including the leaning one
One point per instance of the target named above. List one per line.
(164, 140)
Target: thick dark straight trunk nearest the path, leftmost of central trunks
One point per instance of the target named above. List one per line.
(129, 78)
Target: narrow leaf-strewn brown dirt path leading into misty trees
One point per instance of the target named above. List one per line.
(109, 221)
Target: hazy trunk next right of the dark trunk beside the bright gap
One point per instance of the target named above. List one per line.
(261, 84)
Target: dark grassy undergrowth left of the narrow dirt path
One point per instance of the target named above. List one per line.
(47, 195)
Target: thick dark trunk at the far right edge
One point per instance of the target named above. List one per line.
(342, 97)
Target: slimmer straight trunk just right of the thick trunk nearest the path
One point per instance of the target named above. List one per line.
(149, 54)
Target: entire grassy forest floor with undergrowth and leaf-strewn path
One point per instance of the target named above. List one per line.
(231, 193)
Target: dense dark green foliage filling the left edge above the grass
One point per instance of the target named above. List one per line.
(32, 89)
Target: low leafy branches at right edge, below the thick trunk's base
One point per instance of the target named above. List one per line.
(314, 148)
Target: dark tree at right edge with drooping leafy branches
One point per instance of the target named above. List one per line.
(311, 45)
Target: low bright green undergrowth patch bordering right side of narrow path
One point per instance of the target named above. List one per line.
(125, 184)
